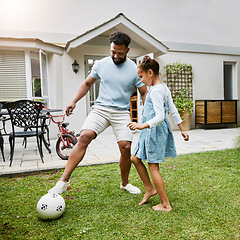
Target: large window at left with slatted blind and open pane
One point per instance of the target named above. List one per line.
(13, 78)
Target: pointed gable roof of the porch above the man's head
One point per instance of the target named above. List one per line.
(123, 24)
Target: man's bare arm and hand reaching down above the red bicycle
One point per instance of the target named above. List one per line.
(82, 91)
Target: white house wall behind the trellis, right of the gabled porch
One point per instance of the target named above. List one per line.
(207, 75)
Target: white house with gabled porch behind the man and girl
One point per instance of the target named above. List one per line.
(37, 69)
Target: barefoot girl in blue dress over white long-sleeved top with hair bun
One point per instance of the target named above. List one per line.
(156, 139)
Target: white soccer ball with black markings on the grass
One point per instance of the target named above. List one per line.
(50, 206)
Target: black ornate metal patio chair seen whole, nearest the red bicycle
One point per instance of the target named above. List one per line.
(24, 114)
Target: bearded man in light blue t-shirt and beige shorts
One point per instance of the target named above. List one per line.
(118, 77)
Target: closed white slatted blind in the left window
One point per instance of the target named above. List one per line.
(12, 75)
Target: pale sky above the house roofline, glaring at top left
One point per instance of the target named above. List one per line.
(195, 21)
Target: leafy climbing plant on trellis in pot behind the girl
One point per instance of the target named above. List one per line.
(179, 81)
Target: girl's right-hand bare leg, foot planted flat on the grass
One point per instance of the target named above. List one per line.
(159, 185)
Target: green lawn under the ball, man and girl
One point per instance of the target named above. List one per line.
(203, 189)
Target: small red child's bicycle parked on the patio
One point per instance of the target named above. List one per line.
(66, 139)
